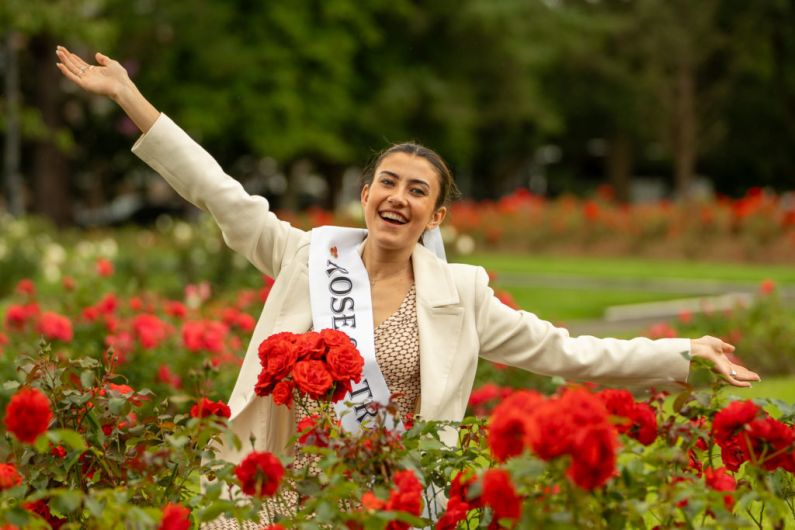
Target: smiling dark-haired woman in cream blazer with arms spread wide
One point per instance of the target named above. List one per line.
(454, 314)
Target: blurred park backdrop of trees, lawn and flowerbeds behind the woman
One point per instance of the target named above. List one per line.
(627, 165)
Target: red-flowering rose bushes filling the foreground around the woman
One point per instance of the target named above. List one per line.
(135, 400)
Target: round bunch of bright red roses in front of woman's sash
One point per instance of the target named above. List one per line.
(321, 365)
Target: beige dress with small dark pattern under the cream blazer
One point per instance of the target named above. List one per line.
(397, 350)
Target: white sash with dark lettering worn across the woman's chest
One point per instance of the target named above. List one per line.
(339, 292)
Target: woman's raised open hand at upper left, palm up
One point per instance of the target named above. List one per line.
(106, 78)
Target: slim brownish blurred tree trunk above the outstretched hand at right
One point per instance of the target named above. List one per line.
(684, 129)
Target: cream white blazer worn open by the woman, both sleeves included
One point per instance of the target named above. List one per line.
(458, 316)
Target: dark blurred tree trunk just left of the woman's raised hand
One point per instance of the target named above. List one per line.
(50, 167)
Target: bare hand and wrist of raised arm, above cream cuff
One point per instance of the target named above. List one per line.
(109, 78)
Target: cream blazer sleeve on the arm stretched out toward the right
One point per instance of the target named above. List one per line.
(521, 339)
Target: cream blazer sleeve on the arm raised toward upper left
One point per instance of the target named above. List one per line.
(247, 224)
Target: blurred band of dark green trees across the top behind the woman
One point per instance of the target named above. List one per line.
(657, 99)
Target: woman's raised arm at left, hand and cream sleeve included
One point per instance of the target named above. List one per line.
(247, 224)
